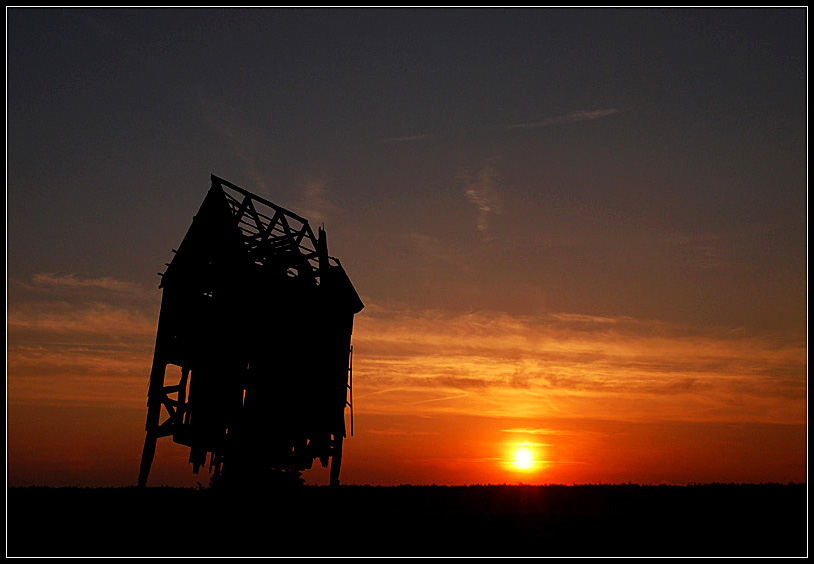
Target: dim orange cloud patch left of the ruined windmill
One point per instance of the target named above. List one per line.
(80, 340)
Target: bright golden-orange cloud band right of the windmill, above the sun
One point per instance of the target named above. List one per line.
(511, 366)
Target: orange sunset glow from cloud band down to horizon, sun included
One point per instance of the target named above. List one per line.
(677, 405)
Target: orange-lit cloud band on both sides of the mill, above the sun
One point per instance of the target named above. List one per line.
(429, 362)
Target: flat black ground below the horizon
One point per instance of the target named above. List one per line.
(625, 520)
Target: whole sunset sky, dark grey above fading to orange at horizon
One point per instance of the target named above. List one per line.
(582, 231)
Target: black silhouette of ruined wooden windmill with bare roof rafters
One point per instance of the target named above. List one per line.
(256, 320)
